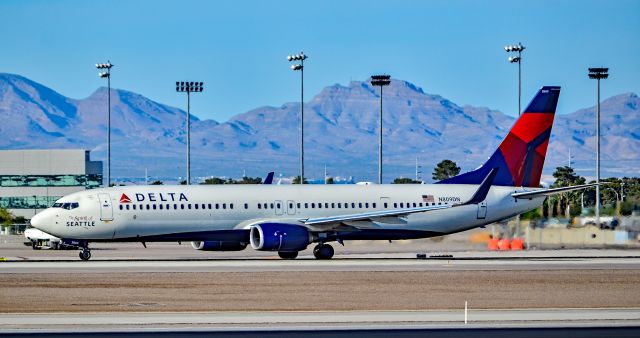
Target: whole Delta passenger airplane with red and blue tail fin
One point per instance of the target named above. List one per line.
(288, 218)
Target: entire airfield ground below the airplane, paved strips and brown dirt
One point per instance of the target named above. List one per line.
(177, 290)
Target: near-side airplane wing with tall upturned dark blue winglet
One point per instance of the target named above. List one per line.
(477, 197)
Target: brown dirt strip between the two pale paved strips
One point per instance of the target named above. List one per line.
(317, 291)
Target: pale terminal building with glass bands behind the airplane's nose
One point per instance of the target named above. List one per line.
(31, 180)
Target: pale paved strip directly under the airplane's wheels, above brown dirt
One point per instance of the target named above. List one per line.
(312, 265)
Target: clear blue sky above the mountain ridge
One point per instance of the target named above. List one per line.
(239, 48)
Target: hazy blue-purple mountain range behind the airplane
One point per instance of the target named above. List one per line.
(341, 133)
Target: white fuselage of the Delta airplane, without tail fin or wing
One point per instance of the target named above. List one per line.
(127, 213)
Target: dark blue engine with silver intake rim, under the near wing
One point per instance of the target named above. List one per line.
(279, 237)
